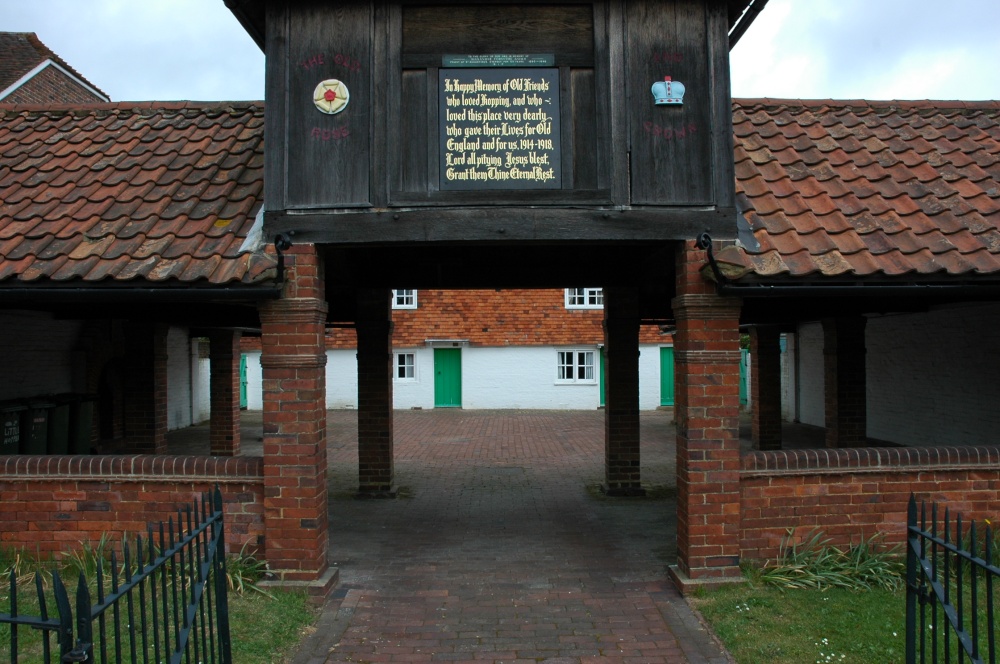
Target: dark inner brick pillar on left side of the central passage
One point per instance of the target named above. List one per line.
(375, 452)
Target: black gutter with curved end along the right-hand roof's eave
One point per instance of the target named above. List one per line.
(725, 286)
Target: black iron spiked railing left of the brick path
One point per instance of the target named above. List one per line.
(164, 601)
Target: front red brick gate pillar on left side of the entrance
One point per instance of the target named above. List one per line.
(293, 359)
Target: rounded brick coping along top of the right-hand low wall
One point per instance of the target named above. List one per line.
(868, 459)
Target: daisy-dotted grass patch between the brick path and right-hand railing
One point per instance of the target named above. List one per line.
(765, 625)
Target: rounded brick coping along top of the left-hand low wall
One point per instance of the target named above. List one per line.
(144, 467)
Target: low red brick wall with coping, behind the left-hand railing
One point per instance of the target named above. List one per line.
(50, 504)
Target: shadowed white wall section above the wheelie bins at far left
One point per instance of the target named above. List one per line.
(45, 360)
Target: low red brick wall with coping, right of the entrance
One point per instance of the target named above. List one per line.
(858, 492)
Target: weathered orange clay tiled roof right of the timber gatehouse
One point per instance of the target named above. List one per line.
(849, 190)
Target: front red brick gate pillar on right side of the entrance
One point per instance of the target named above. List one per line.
(706, 412)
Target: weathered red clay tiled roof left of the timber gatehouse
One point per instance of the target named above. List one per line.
(130, 192)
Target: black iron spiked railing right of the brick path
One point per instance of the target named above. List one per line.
(950, 578)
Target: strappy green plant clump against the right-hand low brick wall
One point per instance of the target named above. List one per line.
(814, 563)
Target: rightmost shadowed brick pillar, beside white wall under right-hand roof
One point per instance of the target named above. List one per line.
(844, 381)
